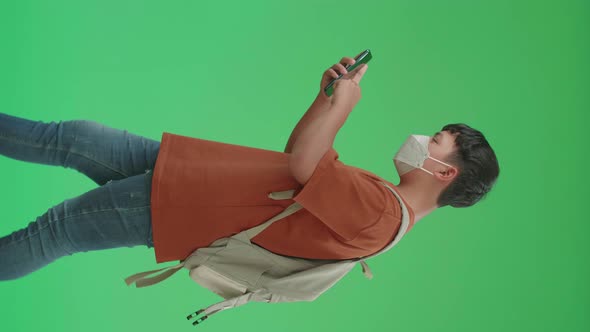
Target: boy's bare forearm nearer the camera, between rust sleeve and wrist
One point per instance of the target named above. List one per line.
(315, 140)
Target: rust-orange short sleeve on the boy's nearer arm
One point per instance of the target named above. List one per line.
(342, 197)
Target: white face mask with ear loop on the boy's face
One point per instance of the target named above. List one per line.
(412, 154)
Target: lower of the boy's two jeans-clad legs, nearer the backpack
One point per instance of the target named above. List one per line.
(114, 215)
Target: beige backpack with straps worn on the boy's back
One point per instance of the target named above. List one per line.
(241, 271)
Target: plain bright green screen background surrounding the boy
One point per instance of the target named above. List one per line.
(244, 73)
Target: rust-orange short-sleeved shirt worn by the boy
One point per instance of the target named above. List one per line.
(204, 190)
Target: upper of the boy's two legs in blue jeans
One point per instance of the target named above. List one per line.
(100, 152)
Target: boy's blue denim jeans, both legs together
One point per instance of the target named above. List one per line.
(116, 214)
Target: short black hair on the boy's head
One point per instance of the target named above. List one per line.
(477, 164)
